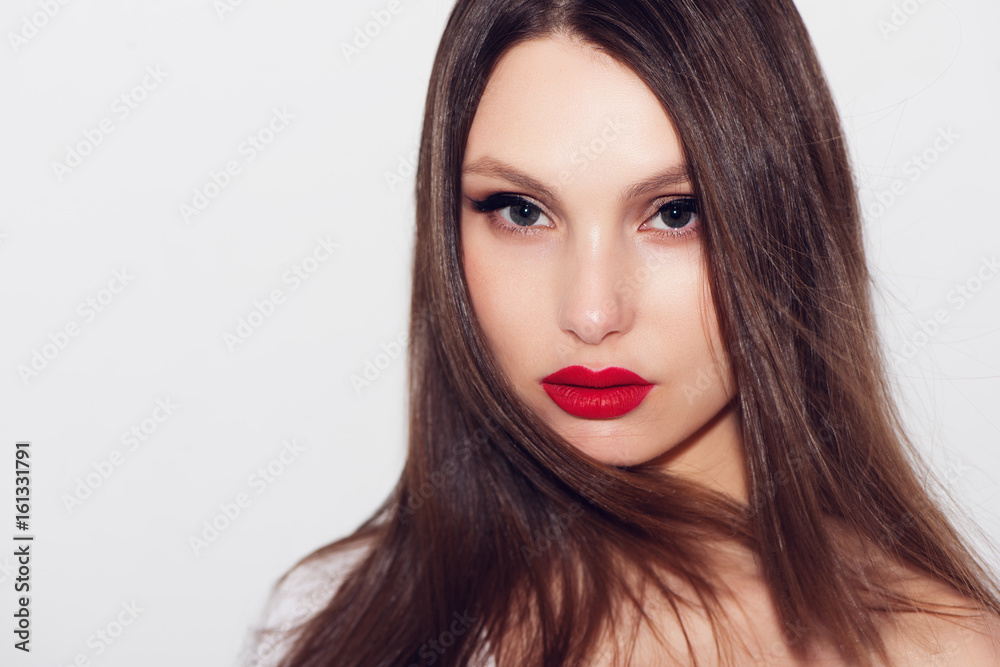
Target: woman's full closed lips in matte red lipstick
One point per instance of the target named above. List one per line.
(604, 394)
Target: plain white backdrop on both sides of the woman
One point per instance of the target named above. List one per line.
(325, 175)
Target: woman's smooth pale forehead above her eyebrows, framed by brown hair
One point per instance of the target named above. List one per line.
(555, 104)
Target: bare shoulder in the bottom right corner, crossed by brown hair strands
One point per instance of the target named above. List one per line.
(958, 635)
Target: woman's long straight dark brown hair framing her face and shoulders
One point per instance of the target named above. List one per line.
(498, 519)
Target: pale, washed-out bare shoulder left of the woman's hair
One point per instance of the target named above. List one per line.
(297, 596)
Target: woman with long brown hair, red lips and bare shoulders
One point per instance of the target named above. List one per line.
(649, 417)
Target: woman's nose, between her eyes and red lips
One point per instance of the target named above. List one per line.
(595, 300)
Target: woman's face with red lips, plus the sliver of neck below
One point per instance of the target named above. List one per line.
(582, 248)
